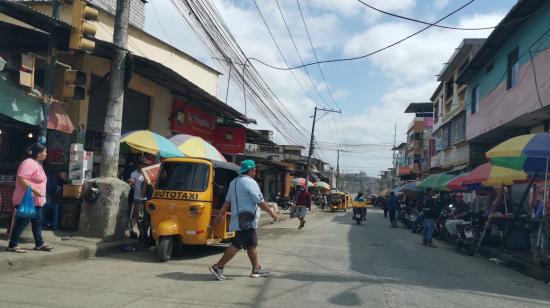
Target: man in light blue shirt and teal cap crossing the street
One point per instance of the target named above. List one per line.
(243, 195)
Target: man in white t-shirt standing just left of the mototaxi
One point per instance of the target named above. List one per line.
(137, 181)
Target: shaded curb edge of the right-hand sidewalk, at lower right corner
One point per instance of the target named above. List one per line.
(517, 264)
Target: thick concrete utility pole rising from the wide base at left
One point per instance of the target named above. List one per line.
(113, 119)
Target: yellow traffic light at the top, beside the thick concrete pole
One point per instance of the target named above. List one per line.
(82, 16)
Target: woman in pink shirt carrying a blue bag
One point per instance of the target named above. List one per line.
(30, 174)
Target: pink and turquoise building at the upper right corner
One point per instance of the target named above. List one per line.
(508, 79)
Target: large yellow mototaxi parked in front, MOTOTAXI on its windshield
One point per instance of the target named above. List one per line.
(188, 196)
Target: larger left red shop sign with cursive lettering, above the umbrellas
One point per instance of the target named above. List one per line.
(191, 120)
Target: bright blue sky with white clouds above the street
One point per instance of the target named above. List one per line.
(372, 93)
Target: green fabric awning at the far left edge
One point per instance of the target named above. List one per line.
(16, 104)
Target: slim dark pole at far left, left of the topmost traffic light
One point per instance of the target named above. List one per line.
(50, 75)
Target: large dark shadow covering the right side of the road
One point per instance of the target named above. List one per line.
(396, 256)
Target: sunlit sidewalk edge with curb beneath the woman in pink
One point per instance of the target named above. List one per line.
(63, 253)
